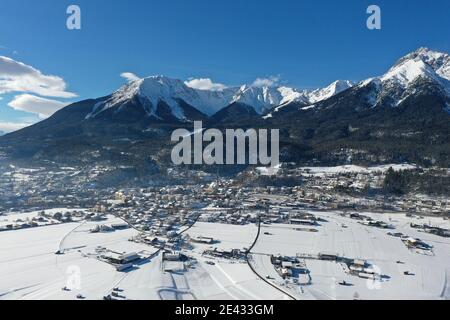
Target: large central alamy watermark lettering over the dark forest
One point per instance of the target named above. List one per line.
(229, 149)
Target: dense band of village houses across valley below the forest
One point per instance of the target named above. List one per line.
(42, 188)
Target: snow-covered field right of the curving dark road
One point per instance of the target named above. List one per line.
(347, 238)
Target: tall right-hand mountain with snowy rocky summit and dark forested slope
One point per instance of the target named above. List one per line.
(401, 116)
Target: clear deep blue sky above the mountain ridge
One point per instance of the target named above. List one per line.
(307, 44)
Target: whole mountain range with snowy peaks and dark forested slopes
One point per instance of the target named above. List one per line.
(400, 116)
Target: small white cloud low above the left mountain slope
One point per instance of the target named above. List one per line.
(33, 104)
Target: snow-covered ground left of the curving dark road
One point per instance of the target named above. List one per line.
(30, 269)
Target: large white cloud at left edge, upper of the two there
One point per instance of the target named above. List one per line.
(16, 76)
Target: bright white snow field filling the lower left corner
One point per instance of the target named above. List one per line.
(30, 269)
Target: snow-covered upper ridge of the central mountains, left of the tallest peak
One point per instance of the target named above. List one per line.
(151, 91)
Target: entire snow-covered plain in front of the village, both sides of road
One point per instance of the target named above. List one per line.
(30, 269)
